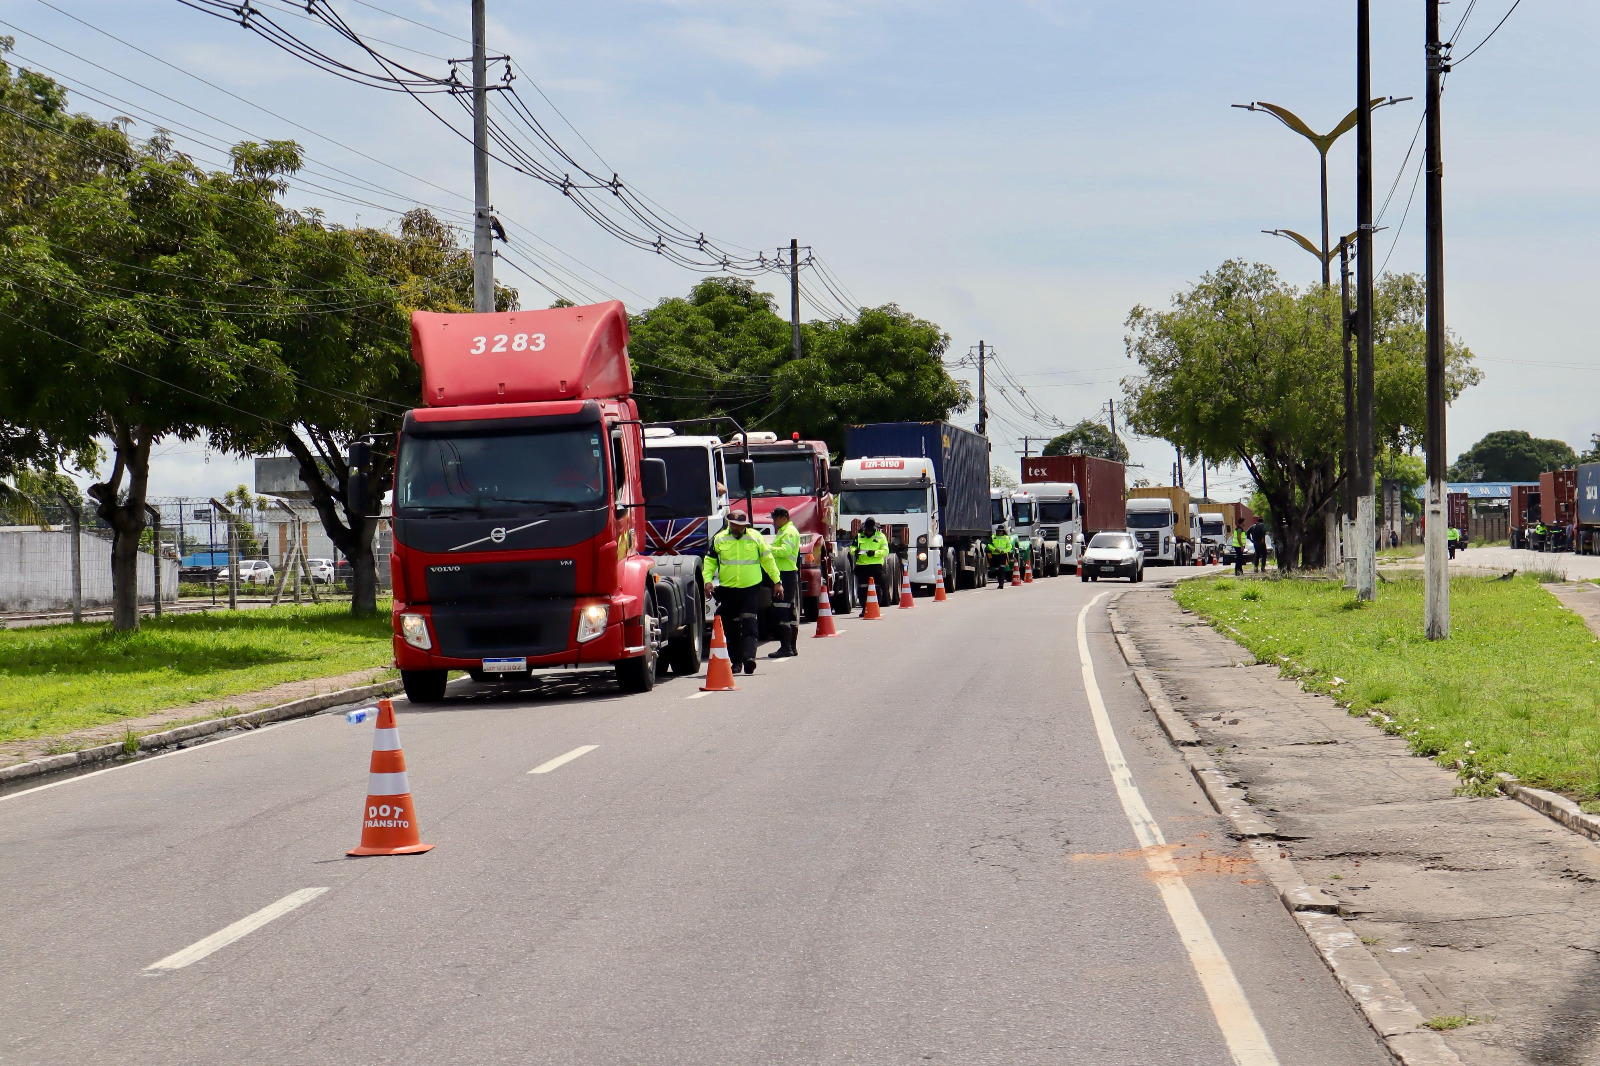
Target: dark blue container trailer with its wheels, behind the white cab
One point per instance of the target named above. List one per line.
(961, 473)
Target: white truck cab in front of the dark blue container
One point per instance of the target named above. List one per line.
(903, 497)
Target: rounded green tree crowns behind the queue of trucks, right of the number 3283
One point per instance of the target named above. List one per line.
(726, 350)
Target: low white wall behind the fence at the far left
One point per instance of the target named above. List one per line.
(36, 571)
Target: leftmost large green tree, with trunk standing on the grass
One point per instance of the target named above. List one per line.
(132, 278)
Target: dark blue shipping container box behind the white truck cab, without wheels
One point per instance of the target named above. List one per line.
(961, 467)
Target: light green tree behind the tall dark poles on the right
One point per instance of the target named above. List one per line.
(1246, 369)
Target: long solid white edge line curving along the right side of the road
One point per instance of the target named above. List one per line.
(1234, 1017)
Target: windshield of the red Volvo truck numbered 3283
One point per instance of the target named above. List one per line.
(470, 471)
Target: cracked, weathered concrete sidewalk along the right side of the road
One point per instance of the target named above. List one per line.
(1476, 907)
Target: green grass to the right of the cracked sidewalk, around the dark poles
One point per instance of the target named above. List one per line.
(1514, 689)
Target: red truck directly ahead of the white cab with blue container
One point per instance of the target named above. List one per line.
(794, 475)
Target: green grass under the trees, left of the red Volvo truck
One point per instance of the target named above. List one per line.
(57, 679)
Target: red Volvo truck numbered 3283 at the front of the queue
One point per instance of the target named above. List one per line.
(519, 510)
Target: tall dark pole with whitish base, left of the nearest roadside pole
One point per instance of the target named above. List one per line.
(1366, 529)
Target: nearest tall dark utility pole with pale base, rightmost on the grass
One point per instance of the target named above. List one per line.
(1436, 609)
